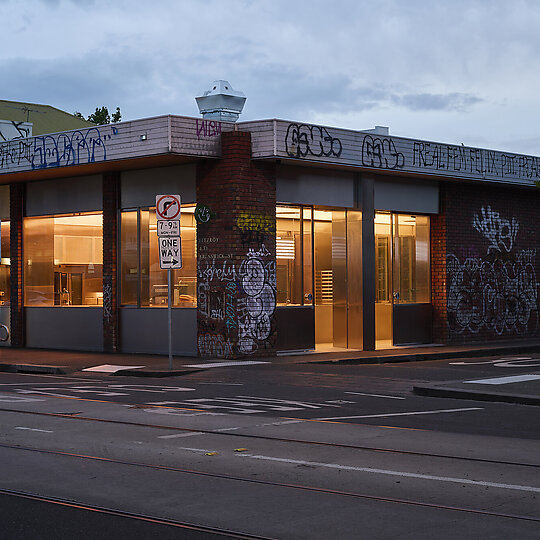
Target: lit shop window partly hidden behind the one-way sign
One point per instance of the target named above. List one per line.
(142, 282)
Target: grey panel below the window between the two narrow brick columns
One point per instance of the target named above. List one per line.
(65, 328)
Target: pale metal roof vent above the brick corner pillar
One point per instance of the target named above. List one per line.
(221, 102)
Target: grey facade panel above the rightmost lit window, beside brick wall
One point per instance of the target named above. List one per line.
(407, 196)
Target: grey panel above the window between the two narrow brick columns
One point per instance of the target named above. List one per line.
(64, 195)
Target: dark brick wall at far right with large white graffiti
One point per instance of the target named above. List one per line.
(492, 264)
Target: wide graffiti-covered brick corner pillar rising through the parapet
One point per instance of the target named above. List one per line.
(236, 253)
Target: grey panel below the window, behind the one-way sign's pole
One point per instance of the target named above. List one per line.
(144, 330)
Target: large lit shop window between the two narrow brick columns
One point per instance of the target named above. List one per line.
(63, 260)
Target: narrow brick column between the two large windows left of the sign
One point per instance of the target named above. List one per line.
(111, 204)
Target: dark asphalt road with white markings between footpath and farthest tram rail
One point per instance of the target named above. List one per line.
(366, 394)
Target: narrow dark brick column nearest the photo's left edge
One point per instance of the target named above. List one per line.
(16, 307)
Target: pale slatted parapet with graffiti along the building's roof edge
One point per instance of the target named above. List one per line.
(271, 139)
